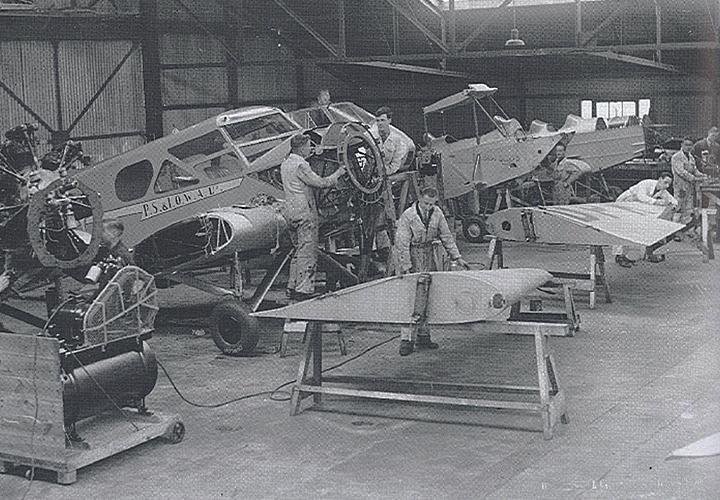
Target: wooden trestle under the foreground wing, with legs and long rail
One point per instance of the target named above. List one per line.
(550, 404)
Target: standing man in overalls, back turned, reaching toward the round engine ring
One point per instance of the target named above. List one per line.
(301, 213)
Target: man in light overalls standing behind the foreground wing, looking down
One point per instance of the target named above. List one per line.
(418, 227)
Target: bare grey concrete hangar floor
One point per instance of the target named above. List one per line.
(642, 379)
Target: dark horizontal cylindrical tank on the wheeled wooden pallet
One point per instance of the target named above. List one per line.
(126, 378)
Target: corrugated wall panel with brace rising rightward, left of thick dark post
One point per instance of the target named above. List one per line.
(120, 106)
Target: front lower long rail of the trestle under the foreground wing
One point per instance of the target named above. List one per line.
(419, 398)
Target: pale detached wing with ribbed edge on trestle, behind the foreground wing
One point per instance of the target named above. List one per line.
(588, 224)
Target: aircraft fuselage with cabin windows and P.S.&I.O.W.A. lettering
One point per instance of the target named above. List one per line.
(194, 170)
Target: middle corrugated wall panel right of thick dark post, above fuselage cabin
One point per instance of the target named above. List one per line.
(194, 86)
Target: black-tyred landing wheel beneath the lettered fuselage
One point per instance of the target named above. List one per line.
(233, 330)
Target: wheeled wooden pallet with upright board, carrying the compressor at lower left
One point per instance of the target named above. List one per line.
(32, 429)
